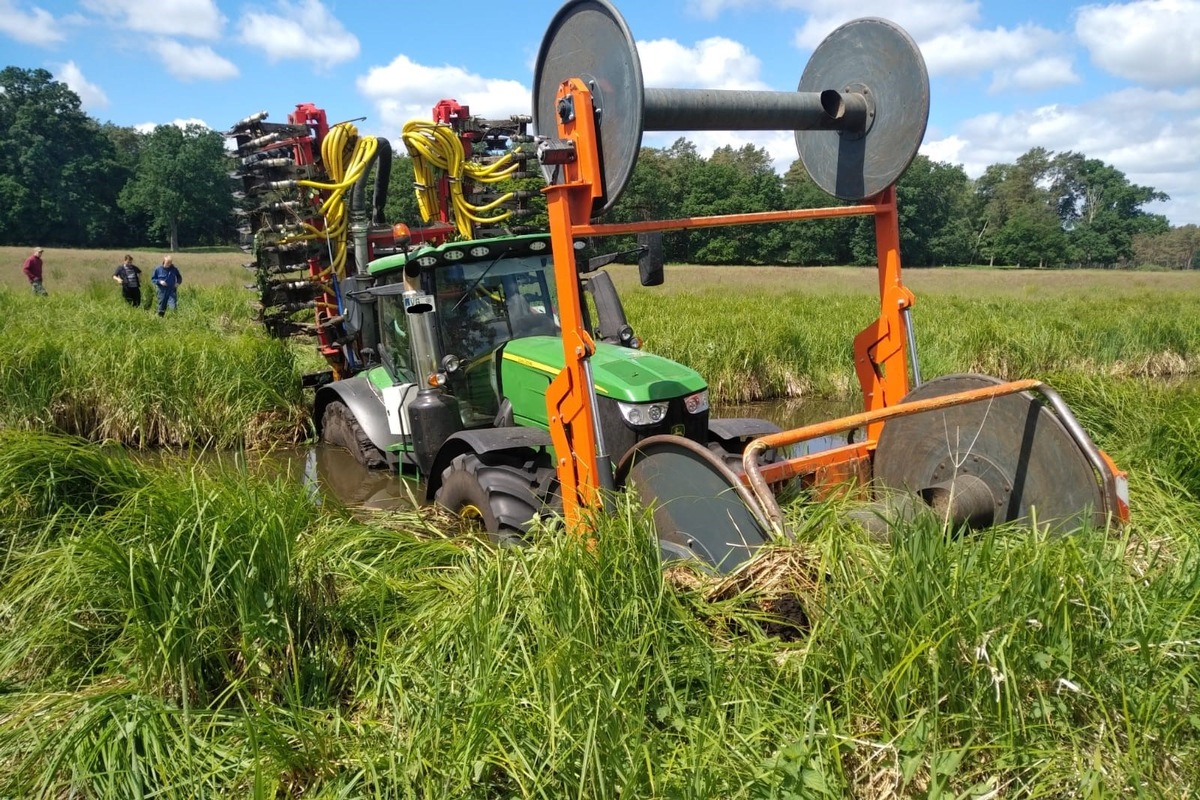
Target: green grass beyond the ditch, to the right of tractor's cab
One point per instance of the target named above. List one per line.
(789, 344)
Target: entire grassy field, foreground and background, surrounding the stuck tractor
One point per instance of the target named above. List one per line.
(175, 633)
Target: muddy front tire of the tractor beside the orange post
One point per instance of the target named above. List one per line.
(499, 496)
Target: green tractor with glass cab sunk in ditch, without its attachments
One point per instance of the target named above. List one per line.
(469, 344)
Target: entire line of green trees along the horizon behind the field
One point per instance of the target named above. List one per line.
(71, 181)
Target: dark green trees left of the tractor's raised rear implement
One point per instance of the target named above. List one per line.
(71, 182)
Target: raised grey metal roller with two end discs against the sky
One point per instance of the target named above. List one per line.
(860, 115)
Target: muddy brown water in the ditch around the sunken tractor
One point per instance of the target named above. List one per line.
(332, 474)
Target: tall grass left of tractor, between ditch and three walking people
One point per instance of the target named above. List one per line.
(87, 365)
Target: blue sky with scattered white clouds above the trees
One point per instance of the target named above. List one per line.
(1119, 81)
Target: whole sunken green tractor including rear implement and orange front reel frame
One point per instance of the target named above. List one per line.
(499, 364)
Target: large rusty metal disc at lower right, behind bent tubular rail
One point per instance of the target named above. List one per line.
(1012, 450)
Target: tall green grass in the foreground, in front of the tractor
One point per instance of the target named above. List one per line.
(191, 635)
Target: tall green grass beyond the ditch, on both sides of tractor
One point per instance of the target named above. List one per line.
(85, 364)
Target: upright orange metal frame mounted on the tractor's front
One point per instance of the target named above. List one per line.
(880, 350)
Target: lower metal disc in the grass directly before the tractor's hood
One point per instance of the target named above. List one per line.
(700, 507)
